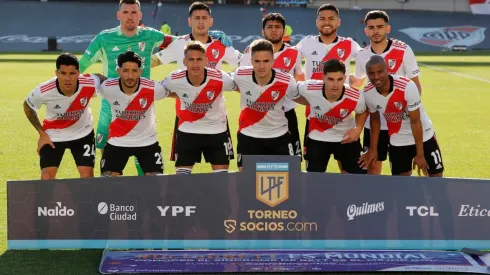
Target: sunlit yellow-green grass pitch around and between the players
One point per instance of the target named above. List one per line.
(456, 96)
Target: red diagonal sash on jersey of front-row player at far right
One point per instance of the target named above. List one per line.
(392, 109)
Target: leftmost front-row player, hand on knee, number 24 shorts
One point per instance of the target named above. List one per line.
(68, 122)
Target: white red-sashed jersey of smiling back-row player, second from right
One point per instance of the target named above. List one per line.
(317, 53)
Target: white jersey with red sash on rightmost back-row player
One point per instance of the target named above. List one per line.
(400, 60)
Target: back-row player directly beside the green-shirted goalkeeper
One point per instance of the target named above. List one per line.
(200, 20)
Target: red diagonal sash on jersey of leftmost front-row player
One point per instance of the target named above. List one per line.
(78, 104)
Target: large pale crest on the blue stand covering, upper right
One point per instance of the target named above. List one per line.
(447, 37)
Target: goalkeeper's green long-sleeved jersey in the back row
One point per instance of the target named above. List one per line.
(110, 43)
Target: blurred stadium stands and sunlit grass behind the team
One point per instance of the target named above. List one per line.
(447, 36)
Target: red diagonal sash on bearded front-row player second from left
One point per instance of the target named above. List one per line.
(120, 127)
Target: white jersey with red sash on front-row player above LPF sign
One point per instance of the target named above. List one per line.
(262, 114)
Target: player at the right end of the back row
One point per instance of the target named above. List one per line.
(401, 61)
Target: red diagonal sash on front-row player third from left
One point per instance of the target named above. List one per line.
(207, 95)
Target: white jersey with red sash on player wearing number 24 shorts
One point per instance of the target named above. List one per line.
(67, 117)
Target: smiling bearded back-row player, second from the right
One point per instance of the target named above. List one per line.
(325, 46)
